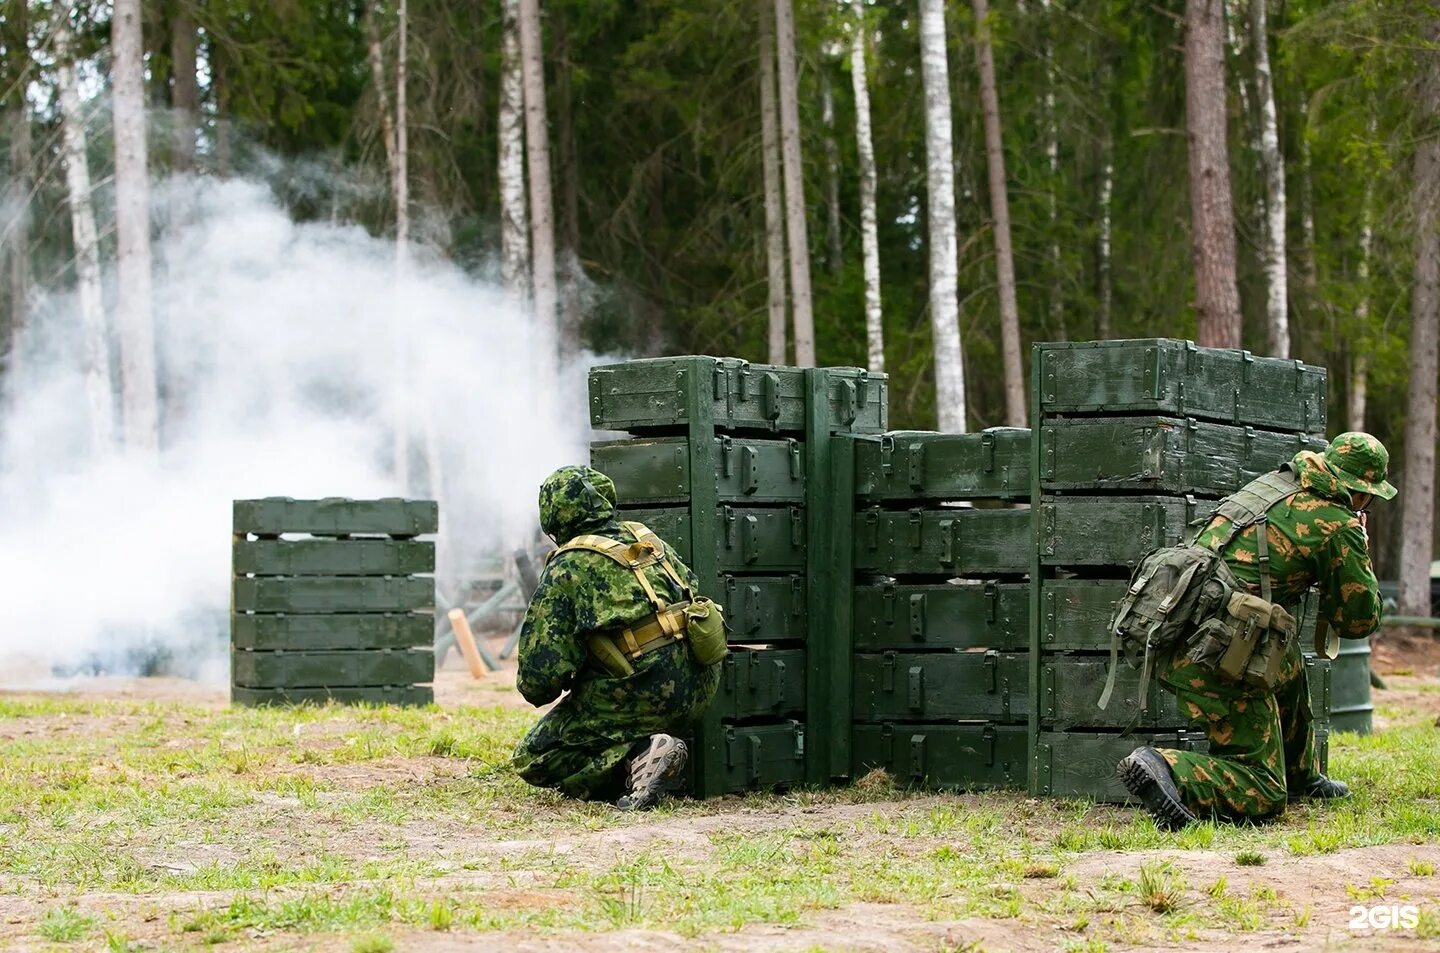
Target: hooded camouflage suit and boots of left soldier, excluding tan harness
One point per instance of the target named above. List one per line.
(608, 736)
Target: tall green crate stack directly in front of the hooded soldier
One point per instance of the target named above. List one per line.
(722, 460)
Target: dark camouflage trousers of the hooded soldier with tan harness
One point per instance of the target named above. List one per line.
(584, 742)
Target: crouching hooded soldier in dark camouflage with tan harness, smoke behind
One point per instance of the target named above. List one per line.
(618, 625)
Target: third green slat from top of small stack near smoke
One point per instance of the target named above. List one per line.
(333, 594)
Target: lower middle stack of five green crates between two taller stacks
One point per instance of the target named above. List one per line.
(941, 608)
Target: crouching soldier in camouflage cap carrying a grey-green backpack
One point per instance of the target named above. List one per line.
(1235, 661)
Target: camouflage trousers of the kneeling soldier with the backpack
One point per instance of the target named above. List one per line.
(1262, 745)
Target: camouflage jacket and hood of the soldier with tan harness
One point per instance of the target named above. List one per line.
(581, 594)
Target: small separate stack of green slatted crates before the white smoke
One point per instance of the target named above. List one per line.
(333, 600)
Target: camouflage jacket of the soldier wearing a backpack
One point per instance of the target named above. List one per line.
(1315, 539)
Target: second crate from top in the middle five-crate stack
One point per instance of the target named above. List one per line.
(951, 542)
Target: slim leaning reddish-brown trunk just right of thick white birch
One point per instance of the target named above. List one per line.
(1000, 211)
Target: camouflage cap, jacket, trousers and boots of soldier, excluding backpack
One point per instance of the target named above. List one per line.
(1262, 744)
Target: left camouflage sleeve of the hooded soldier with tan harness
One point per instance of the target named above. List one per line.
(551, 650)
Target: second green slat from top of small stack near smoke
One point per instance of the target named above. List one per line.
(333, 558)
